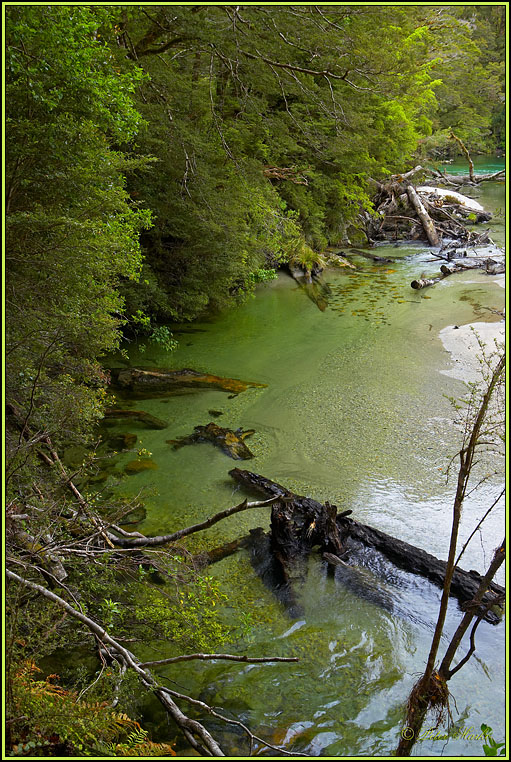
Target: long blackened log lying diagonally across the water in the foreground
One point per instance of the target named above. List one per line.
(402, 554)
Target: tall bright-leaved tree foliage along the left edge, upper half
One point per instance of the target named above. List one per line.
(71, 229)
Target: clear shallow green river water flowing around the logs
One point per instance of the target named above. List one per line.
(354, 412)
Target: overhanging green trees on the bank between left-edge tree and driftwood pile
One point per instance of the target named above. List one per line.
(253, 151)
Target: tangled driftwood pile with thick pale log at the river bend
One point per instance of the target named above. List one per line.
(404, 212)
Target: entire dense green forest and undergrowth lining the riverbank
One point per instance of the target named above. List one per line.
(161, 162)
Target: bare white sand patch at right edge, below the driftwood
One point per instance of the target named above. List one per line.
(463, 345)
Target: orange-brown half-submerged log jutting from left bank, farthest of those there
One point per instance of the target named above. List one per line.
(152, 380)
